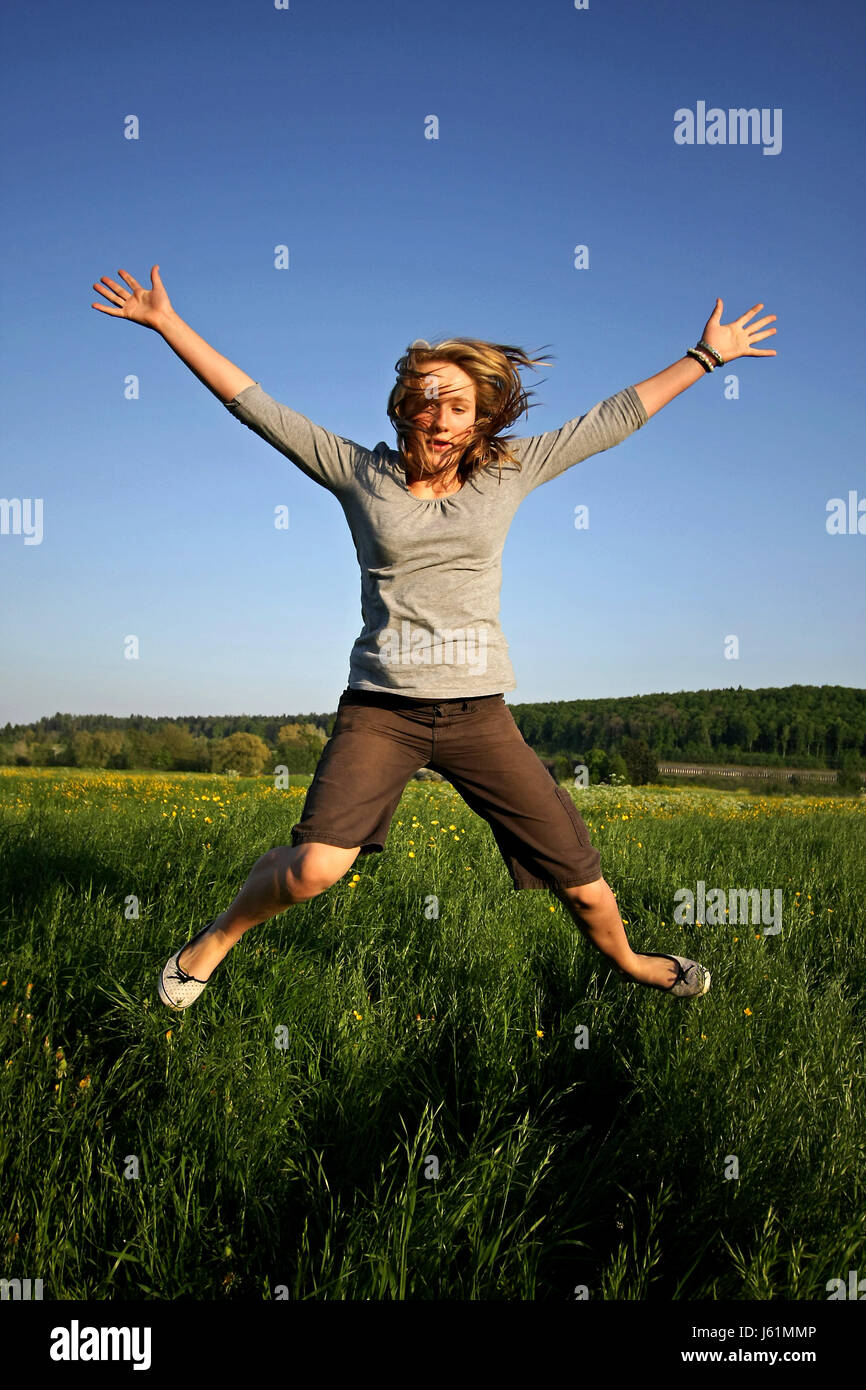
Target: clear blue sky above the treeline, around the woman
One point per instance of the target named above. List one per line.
(305, 127)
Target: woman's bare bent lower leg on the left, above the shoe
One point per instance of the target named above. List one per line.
(277, 881)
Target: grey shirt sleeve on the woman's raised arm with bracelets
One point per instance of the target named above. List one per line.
(608, 423)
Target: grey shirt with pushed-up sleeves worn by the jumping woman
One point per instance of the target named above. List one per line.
(432, 569)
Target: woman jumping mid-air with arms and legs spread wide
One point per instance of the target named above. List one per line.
(429, 673)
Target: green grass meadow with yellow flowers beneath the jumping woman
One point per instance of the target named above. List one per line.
(380, 1095)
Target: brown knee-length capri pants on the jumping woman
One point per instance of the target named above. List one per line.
(380, 740)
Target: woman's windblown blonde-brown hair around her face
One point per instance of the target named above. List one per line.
(500, 401)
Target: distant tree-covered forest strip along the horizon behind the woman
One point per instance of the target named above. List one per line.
(804, 726)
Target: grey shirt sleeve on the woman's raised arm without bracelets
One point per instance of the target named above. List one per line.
(326, 458)
